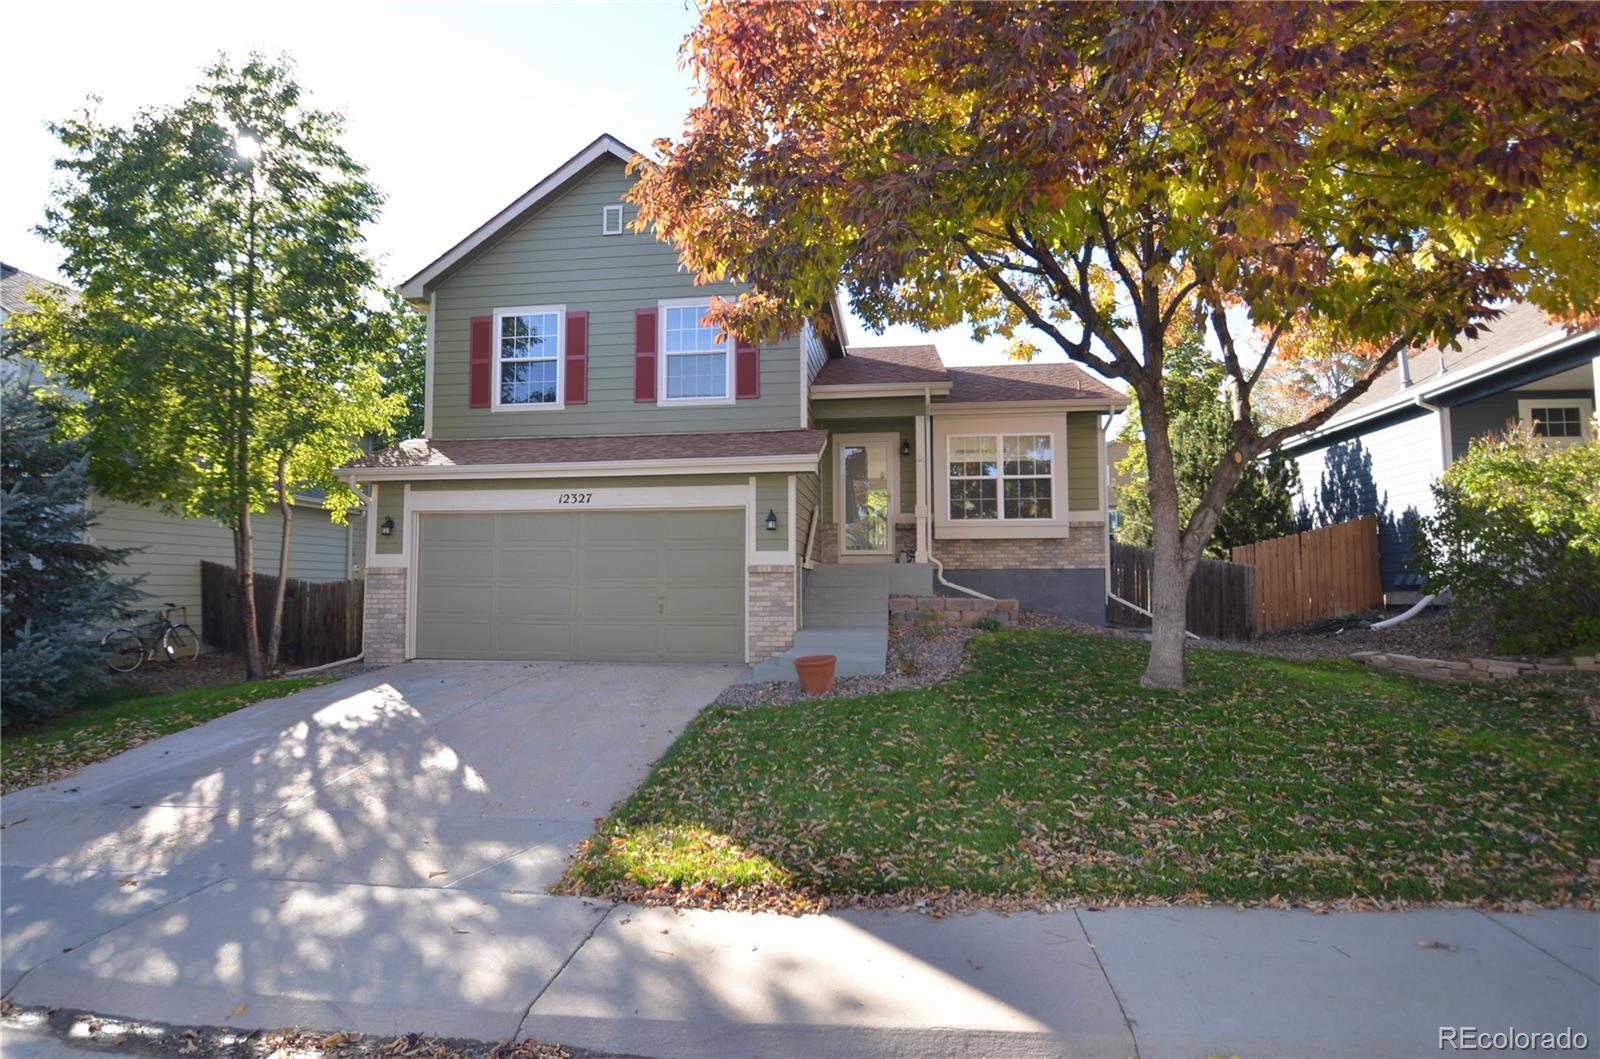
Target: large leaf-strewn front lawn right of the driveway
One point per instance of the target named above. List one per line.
(1049, 773)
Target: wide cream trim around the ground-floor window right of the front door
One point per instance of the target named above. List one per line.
(1058, 526)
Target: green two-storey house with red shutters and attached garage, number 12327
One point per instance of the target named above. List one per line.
(604, 478)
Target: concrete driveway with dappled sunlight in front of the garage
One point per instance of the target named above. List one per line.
(398, 799)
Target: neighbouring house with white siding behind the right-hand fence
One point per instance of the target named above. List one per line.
(1383, 454)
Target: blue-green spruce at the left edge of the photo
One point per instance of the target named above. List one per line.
(57, 589)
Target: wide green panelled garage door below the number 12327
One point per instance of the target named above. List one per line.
(593, 586)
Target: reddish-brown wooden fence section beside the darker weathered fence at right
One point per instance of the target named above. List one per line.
(1316, 575)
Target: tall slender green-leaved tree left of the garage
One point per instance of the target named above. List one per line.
(226, 319)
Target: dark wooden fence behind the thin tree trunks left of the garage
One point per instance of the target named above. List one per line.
(322, 620)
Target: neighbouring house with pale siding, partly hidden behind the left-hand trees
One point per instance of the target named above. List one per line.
(170, 549)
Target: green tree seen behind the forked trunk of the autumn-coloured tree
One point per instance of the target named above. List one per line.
(1262, 505)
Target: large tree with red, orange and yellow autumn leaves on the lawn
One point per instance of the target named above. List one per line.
(1084, 174)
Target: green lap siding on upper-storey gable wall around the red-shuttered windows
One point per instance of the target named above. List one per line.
(559, 258)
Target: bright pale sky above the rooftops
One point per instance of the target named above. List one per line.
(455, 108)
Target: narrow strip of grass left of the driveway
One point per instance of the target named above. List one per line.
(108, 722)
